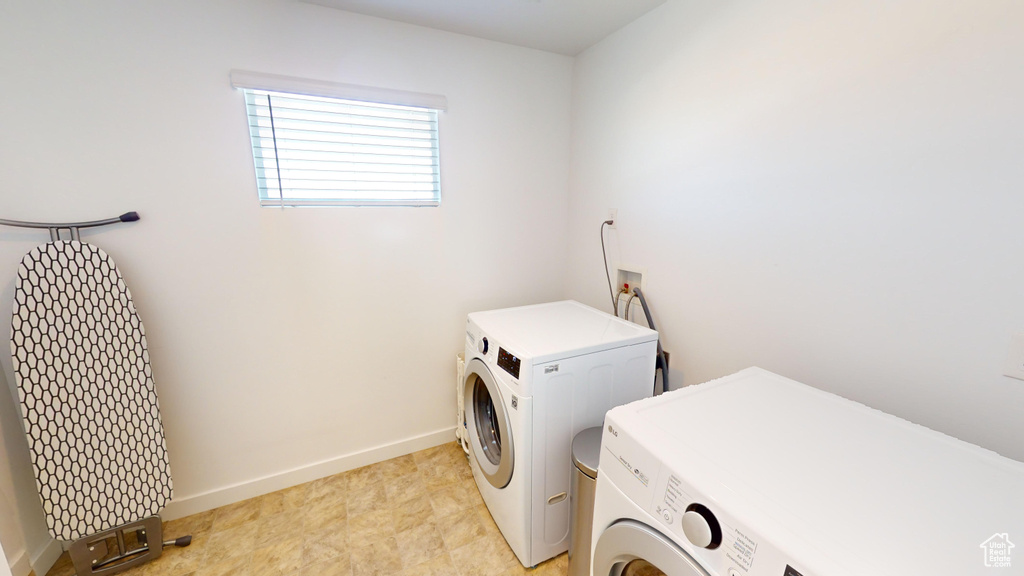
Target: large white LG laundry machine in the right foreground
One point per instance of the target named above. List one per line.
(756, 475)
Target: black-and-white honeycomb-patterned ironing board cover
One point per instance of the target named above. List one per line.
(87, 390)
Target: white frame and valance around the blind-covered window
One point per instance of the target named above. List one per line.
(259, 86)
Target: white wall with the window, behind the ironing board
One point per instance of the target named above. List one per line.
(280, 340)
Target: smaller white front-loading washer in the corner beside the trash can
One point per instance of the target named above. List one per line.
(535, 378)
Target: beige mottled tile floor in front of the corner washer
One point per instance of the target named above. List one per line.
(418, 515)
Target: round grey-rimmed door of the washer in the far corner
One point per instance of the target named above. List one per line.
(490, 431)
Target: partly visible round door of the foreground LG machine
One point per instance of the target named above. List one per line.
(632, 549)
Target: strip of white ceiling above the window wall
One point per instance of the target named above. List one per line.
(565, 27)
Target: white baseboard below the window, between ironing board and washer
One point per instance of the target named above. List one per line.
(188, 506)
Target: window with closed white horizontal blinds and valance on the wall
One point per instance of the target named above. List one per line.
(321, 144)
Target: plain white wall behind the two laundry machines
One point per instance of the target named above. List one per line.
(830, 191)
